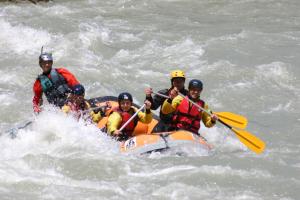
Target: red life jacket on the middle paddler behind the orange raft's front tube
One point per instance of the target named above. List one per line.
(128, 130)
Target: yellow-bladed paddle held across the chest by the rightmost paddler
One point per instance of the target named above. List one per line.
(251, 141)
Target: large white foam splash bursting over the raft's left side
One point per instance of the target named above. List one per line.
(57, 134)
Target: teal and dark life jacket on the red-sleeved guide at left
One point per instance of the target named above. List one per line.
(55, 88)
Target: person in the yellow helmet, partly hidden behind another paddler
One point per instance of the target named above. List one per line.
(177, 84)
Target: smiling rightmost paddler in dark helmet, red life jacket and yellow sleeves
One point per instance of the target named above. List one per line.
(187, 116)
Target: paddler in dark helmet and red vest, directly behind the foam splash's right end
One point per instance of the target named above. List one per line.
(123, 113)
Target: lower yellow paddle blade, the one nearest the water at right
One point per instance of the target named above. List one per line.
(251, 141)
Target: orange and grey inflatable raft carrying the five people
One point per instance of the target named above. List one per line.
(145, 141)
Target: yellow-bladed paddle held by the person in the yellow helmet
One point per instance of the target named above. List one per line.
(232, 119)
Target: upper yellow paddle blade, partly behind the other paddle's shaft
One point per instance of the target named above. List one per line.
(232, 119)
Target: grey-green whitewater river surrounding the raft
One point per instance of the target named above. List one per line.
(246, 52)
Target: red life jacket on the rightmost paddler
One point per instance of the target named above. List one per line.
(188, 117)
